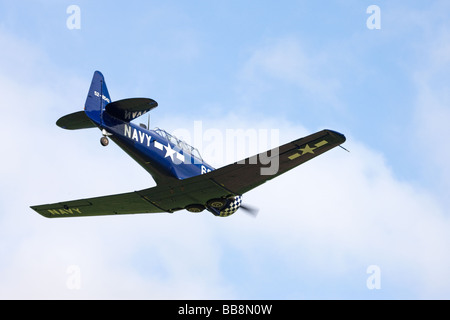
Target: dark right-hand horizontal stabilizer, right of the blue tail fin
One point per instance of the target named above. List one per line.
(130, 109)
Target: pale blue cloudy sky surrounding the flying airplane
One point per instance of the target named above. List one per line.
(371, 223)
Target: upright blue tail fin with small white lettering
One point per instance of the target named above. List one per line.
(98, 97)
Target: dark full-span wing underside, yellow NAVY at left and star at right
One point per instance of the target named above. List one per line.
(231, 180)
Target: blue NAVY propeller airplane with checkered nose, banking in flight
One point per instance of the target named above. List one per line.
(184, 181)
